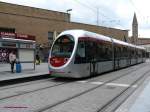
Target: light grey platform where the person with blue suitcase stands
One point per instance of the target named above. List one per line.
(6, 75)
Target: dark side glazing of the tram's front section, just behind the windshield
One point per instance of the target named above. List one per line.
(93, 51)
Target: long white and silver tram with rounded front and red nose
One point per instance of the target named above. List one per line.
(79, 53)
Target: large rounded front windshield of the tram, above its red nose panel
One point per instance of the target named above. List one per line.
(63, 47)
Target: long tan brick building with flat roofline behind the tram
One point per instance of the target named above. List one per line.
(46, 24)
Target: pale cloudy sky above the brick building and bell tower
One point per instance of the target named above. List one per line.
(111, 13)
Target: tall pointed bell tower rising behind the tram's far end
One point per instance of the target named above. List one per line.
(134, 38)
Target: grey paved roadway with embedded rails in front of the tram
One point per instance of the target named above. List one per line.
(102, 93)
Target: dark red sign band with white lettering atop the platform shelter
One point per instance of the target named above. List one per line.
(16, 36)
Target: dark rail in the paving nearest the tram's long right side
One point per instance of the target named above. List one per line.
(82, 93)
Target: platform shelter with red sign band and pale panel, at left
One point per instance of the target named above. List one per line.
(23, 45)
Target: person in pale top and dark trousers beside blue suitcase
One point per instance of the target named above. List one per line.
(12, 59)
